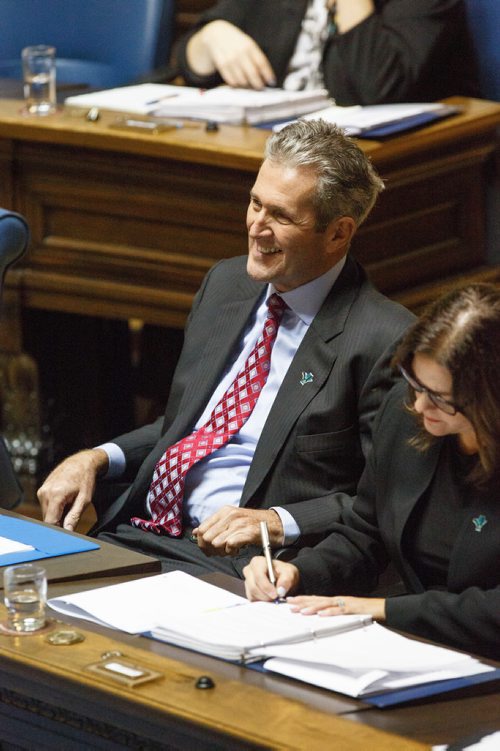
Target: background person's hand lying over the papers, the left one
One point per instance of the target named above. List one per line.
(220, 46)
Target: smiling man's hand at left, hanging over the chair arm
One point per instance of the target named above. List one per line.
(69, 488)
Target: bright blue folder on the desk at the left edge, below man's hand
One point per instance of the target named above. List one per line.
(47, 542)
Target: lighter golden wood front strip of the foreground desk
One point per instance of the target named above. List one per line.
(231, 708)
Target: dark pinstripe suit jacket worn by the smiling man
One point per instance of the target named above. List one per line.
(317, 435)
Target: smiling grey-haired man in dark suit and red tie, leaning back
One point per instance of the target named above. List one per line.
(308, 432)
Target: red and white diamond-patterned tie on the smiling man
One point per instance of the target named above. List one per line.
(233, 410)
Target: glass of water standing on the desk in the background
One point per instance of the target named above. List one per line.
(39, 75)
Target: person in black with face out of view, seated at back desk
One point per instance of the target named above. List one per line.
(361, 51)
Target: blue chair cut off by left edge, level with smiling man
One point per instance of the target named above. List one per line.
(14, 235)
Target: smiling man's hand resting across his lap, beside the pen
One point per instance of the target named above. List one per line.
(230, 528)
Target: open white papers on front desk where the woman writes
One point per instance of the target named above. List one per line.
(348, 653)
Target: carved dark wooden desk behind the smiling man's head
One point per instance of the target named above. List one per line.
(126, 225)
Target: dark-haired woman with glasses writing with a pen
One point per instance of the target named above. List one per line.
(429, 499)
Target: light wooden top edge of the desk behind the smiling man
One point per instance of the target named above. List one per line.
(238, 147)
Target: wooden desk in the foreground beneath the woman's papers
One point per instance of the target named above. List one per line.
(49, 688)
